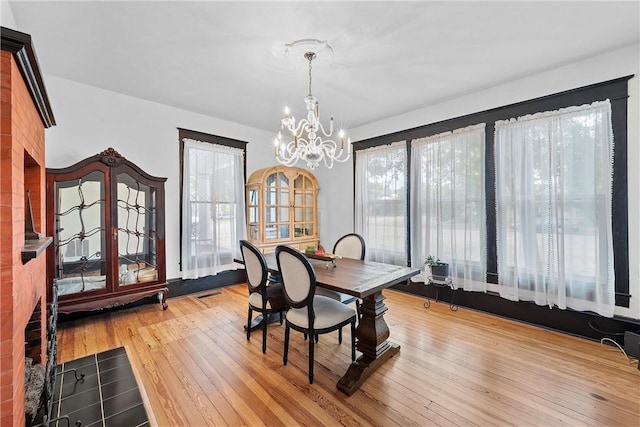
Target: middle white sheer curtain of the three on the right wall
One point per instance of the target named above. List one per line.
(448, 214)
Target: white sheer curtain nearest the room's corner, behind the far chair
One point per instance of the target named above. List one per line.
(381, 202)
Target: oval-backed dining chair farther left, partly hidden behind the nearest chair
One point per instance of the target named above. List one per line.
(265, 295)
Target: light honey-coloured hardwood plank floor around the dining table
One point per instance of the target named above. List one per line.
(454, 368)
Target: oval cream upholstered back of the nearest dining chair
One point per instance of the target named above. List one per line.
(298, 277)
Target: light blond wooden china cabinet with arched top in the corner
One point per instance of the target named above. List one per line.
(282, 208)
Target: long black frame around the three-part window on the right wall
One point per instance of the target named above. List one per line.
(616, 91)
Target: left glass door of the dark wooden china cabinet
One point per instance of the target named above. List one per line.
(79, 234)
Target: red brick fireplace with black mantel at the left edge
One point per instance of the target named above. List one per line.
(25, 113)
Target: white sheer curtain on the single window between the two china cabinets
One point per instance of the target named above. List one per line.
(213, 211)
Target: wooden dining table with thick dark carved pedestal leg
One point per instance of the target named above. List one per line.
(364, 280)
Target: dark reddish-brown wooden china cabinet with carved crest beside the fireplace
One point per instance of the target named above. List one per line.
(106, 217)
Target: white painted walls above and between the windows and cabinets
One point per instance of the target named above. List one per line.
(90, 120)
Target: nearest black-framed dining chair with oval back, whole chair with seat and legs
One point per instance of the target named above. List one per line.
(309, 313)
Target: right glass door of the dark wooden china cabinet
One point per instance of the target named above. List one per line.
(135, 228)
